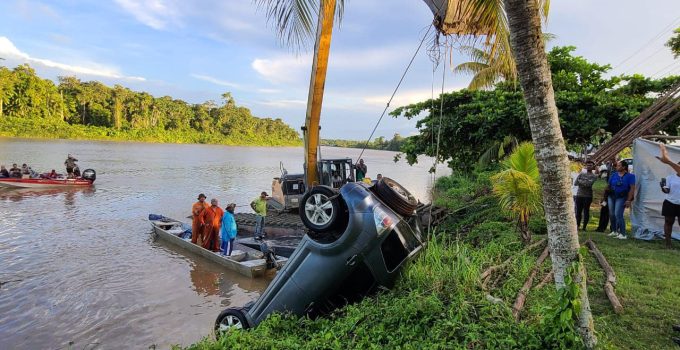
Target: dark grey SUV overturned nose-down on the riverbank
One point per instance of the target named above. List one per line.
(359, 238)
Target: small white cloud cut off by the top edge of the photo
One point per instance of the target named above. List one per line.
(153, 13)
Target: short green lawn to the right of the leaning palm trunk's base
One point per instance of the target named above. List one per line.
(648, 286)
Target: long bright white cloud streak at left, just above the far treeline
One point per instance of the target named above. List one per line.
(9, 51)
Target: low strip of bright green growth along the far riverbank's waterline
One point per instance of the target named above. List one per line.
(55, 129)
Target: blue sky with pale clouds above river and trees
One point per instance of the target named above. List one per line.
(197, 50)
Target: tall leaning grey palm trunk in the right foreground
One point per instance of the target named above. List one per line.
(551, 154)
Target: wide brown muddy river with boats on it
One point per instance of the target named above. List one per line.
(80, 267)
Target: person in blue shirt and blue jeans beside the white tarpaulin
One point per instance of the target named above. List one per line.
(621, 191)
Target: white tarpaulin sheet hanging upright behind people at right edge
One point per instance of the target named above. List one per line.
(645, 215)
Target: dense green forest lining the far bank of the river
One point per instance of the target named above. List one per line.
(35, 107)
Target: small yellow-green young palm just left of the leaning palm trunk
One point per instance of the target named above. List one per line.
(517, 187)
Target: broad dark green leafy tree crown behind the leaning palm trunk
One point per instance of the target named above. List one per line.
(591, 107)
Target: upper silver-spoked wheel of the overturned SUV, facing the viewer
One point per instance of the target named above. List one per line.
(320, 209)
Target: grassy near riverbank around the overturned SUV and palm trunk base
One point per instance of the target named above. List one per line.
(441, 302)
